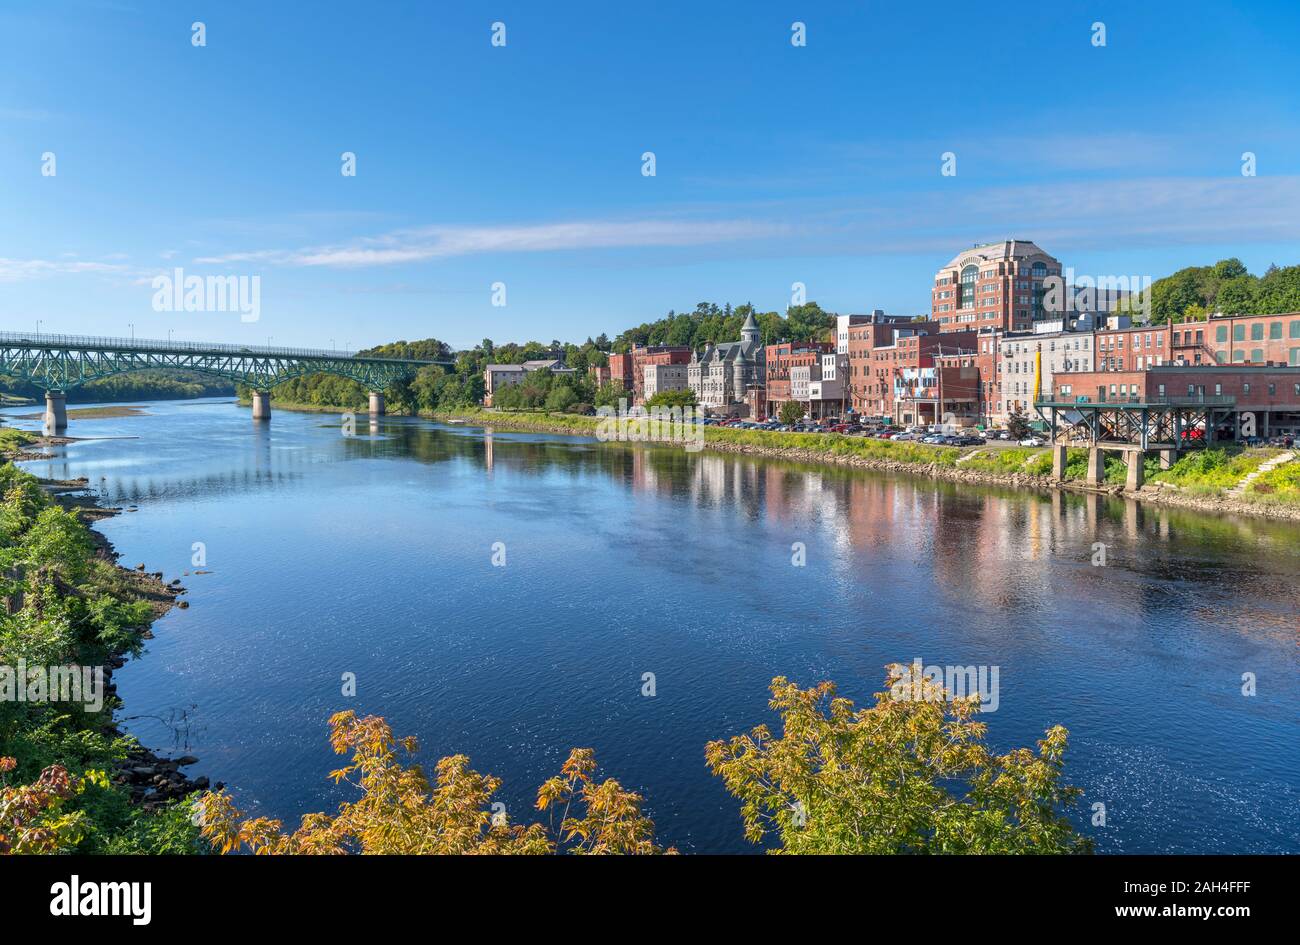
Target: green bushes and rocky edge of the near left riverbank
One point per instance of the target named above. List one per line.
(71, 782)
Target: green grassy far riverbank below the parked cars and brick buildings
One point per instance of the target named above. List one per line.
(1253, 482)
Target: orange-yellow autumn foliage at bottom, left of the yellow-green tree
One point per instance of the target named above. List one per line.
(400, 812)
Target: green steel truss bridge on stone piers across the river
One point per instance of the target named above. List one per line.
(59, 363)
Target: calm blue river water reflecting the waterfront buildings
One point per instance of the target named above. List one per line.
(372, 556)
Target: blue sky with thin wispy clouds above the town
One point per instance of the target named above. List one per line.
(478, 164)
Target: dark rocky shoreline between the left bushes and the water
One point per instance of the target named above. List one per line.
(150, 778)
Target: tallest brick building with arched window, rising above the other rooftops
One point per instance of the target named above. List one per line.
(994, 287)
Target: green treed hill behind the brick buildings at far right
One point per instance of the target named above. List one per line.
(1228, 288)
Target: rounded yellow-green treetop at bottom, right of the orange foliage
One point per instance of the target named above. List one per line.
(908, 775)
